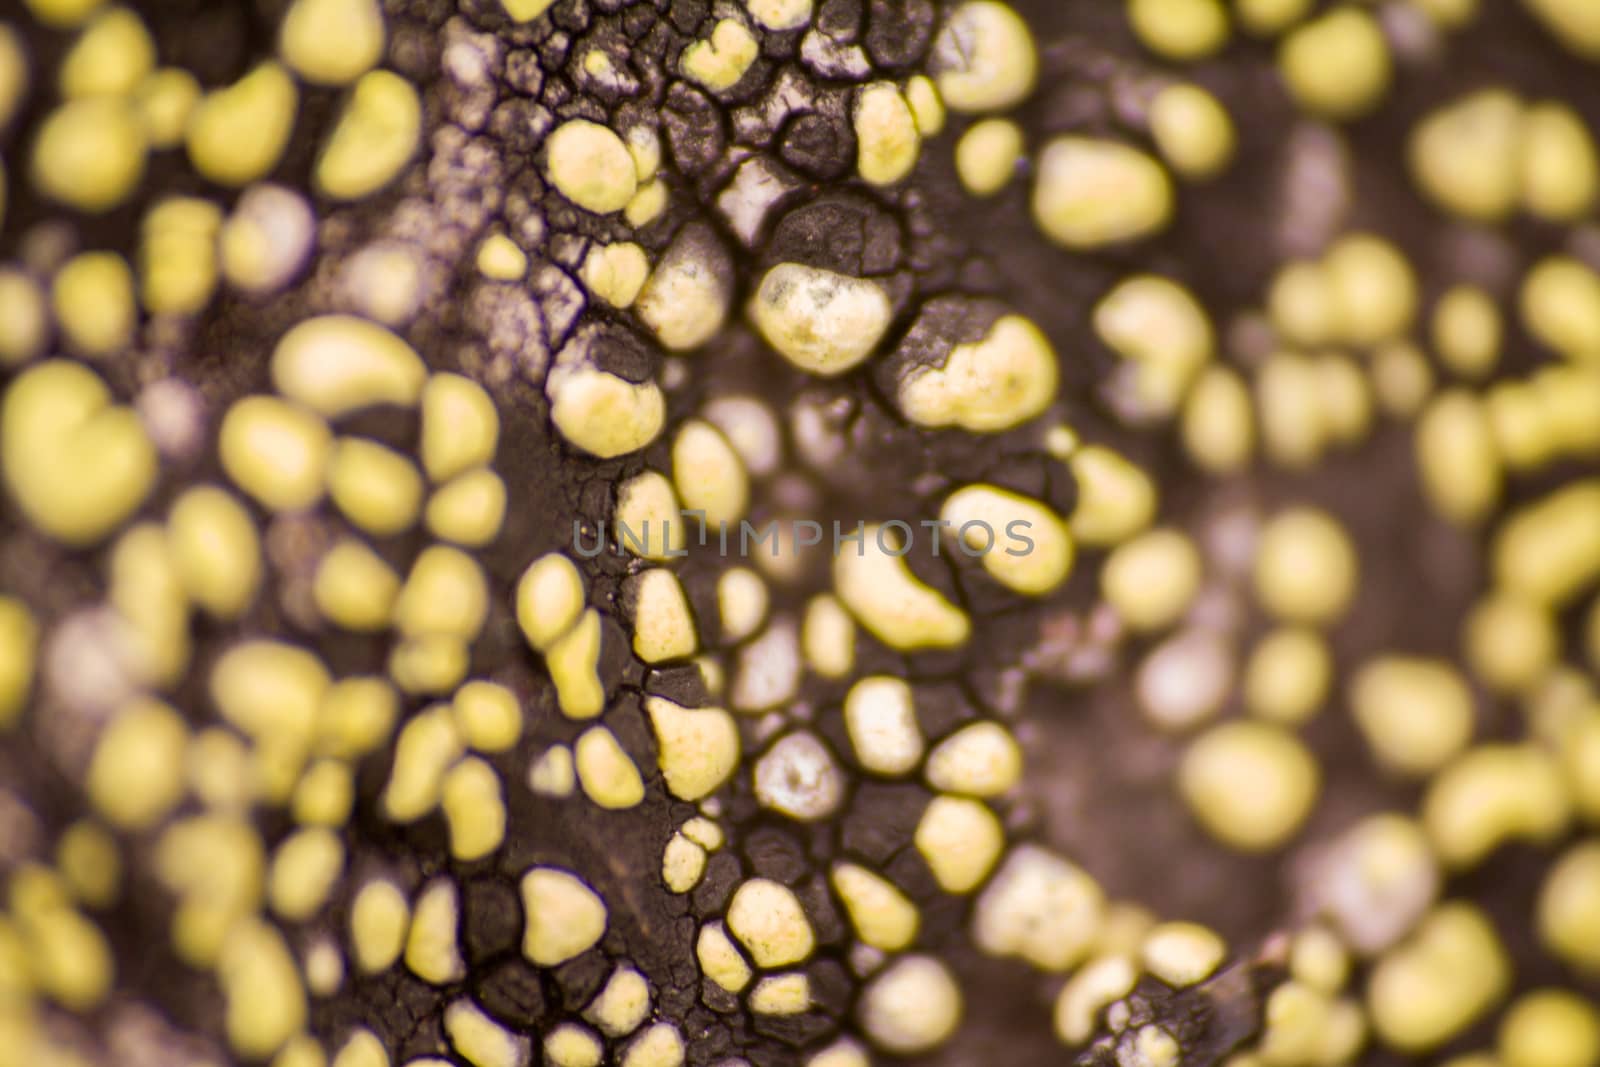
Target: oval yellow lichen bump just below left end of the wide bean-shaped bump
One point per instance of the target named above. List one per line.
(276, 452)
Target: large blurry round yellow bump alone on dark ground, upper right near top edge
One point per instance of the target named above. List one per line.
(1337, 66)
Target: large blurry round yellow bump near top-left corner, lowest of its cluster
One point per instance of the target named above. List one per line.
(89, 154)
